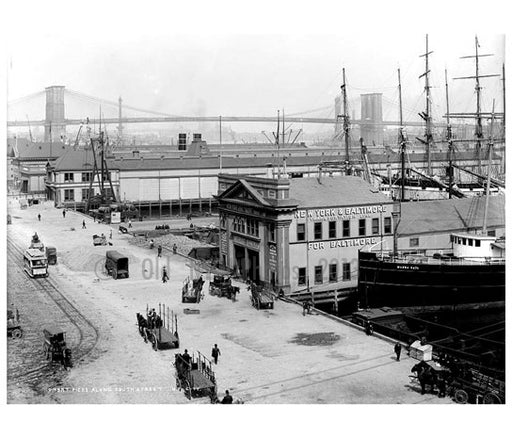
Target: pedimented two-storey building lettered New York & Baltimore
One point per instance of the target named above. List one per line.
(301, 235)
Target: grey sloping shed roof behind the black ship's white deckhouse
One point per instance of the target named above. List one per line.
(450, 215)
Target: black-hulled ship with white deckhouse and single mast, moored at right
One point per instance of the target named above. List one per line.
(470, 276)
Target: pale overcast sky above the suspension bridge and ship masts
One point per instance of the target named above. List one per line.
(190, 62)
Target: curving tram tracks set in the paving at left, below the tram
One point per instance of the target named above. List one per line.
(88, 333)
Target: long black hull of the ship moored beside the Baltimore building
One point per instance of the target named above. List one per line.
(429, 287)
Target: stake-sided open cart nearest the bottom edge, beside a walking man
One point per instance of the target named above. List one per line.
(195, 376)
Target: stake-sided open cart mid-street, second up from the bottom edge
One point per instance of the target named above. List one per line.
(160, 330)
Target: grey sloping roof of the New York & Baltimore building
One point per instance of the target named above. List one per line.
(333, 191)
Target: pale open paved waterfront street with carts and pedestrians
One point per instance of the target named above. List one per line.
(267, 356)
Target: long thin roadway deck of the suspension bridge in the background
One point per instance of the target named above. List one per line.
(185, 119)
